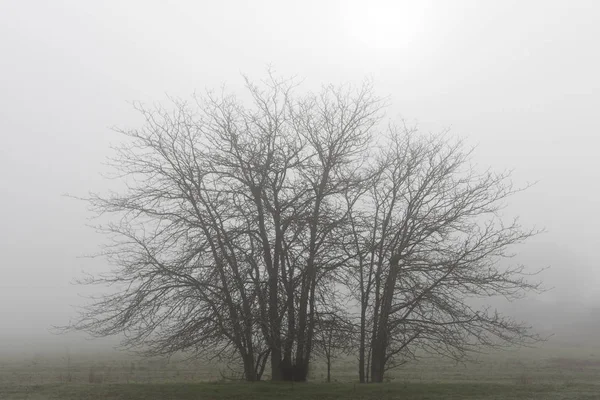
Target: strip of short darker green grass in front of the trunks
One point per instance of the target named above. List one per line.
(265, 390)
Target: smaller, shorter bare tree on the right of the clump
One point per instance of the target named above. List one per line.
(428, 240)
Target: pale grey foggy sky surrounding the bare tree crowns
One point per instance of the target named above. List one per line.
(517, 79)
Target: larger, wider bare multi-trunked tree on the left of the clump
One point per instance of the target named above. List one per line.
(228, 224)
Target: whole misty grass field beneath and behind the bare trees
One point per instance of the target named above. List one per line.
(548, 372)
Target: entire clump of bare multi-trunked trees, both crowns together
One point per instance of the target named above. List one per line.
(241, 218)
